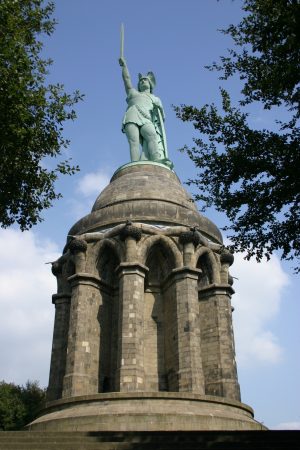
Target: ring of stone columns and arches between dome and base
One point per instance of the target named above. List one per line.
(131, 333)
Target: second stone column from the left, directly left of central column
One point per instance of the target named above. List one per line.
(82, 367)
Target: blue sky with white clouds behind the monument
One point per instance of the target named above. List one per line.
(175, 39)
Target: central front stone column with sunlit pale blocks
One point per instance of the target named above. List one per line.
(130, 373)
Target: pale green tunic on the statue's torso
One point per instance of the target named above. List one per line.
(140, 107)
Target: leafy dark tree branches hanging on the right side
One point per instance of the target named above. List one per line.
(253, 174)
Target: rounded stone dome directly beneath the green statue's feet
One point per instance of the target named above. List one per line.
(149, 193)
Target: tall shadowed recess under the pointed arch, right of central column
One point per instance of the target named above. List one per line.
(160, 263)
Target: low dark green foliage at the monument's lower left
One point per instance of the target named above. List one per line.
(19, 405)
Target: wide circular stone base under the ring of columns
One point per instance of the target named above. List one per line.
(155, 411)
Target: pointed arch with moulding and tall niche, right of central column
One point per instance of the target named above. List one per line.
(161, 255)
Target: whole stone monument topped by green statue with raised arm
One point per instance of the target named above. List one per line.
(143, 337)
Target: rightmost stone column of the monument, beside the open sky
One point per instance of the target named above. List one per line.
(217, 341)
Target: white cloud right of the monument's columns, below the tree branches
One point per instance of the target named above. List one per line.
(257, 301)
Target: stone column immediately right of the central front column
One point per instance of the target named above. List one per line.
(190, 373)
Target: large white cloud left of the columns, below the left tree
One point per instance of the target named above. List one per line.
(26, 311)
